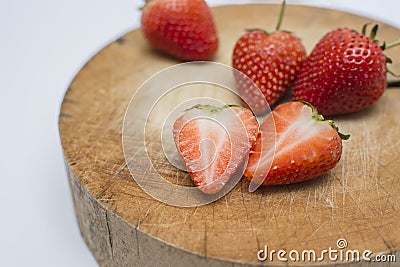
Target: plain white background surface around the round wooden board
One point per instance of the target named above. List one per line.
(43, 45)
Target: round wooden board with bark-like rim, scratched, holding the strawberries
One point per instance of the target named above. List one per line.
(123, 226)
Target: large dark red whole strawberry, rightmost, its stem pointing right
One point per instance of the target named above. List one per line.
(345, 72)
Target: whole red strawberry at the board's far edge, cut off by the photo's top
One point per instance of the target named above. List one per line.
(181, 28)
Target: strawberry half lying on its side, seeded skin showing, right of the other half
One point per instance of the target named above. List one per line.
(296, 144)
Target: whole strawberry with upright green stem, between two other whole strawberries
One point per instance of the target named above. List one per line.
(270, 60)
